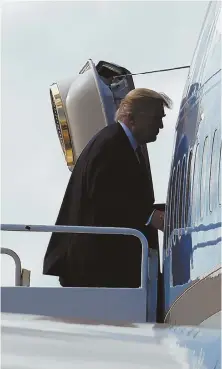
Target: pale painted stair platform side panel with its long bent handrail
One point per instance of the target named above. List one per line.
(98, 304)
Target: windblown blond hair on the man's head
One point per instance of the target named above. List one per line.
(140, 97)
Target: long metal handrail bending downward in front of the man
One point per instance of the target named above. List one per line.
(91, 230)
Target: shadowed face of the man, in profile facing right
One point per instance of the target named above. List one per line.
(148, 122)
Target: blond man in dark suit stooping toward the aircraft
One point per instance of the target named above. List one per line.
(110, 186)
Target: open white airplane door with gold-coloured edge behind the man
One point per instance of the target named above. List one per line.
(84, 105)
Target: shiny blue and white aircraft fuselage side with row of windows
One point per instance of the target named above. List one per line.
(192, 244)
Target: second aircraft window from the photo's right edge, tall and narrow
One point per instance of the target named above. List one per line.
(204, 168)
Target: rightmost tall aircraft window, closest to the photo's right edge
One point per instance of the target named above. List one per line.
(213, 173)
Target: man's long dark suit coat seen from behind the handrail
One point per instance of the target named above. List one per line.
(107, 188)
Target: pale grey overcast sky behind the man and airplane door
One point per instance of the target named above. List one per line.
(43, 42)
